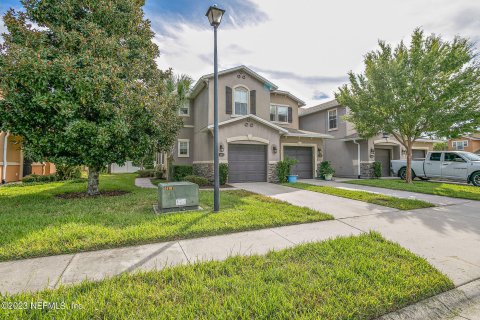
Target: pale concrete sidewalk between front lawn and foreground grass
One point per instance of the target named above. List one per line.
(50, 272)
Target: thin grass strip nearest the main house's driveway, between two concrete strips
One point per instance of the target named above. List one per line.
(380, 199)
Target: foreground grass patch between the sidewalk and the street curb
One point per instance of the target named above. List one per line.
(358, 277)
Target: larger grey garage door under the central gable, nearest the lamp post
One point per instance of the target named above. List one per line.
(247, 163)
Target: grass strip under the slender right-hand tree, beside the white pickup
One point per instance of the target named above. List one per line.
(428, 187)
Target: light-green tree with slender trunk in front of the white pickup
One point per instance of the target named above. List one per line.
(431, 87)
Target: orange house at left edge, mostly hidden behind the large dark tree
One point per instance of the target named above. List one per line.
(13, 165)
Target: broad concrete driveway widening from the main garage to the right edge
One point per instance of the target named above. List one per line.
(448, 235)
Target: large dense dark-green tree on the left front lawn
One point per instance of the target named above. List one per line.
(81, 85)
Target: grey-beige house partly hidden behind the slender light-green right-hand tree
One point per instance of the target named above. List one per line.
(350, 154)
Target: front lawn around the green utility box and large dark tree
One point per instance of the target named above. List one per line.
(33, 222)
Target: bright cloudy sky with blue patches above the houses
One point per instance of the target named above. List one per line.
(303, 46)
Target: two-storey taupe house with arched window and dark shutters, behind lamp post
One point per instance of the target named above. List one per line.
(258, 126)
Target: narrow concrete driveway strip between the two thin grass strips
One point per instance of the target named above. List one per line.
(434, 199)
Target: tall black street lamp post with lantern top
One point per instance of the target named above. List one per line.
(215, 15)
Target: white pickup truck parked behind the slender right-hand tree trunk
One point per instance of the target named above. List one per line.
(451, 165)
